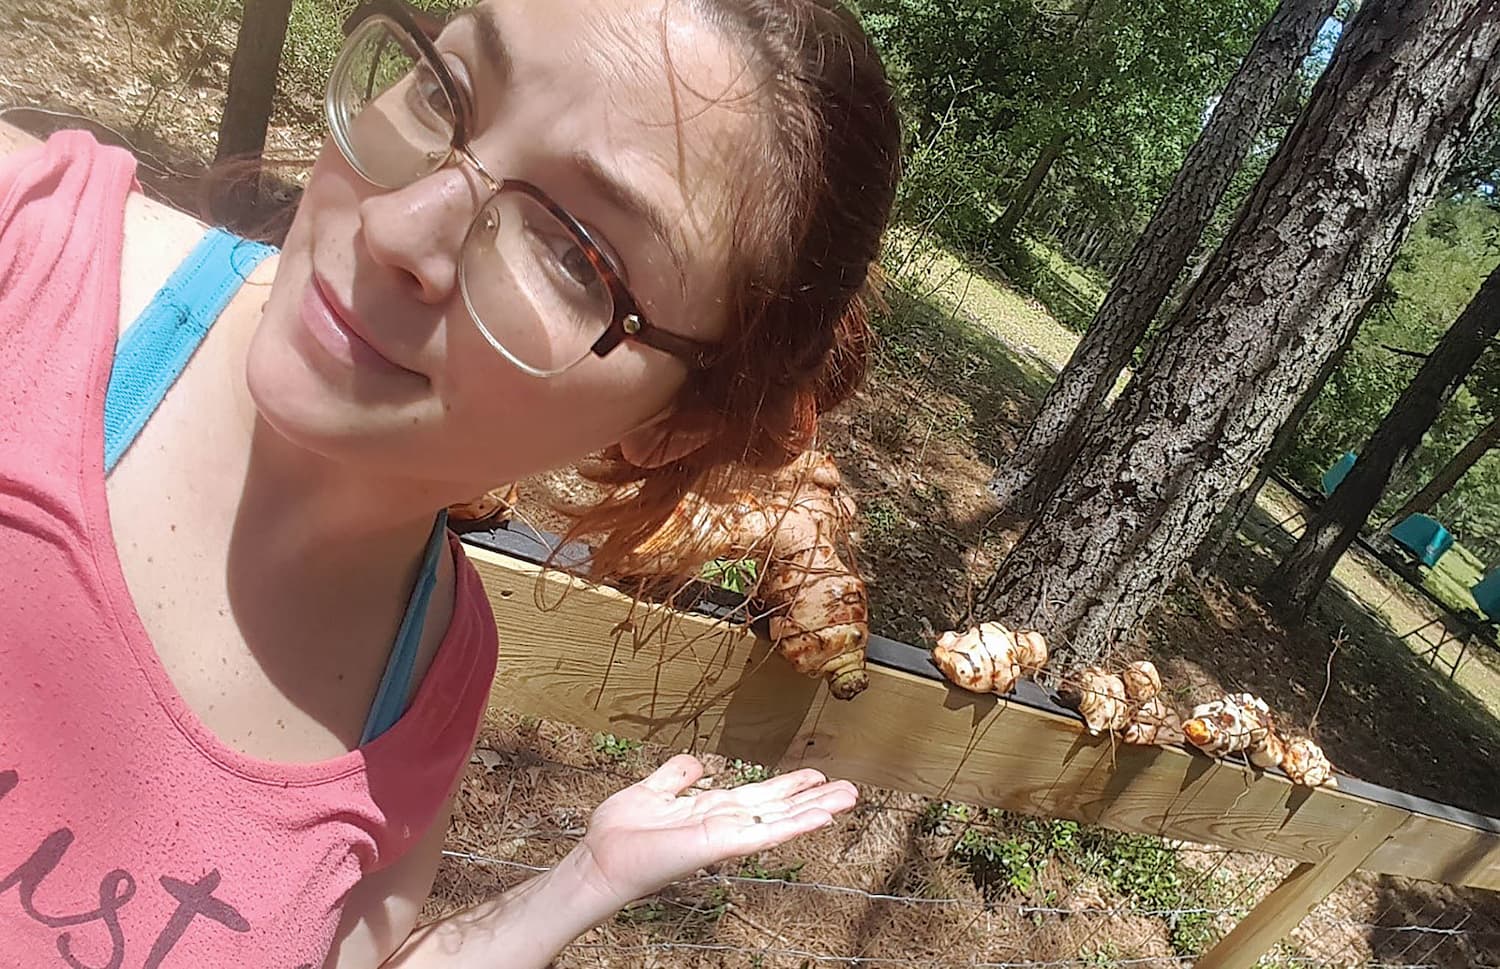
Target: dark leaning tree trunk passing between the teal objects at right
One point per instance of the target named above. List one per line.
(1297, 583)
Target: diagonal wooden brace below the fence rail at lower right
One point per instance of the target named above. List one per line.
(1291, 902)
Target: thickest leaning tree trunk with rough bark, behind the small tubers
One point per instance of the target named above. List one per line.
(1408, 88)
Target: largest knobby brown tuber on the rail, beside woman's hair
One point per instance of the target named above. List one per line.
(800, 536)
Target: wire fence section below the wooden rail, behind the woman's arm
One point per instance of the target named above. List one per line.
(911, 883)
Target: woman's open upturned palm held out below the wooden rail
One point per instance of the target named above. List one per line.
(650, 835)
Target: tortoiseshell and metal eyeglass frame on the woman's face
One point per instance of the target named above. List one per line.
(628, 322)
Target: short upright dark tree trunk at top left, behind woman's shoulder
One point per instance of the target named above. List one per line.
(253, 79)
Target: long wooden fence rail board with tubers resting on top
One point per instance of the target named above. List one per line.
(602, 661)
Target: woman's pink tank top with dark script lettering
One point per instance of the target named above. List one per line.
(130, 836)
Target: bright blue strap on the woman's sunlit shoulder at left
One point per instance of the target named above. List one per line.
(160, 343)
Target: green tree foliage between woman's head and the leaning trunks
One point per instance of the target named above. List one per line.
(989, 83)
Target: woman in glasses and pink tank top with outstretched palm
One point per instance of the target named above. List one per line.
(244, 662)
